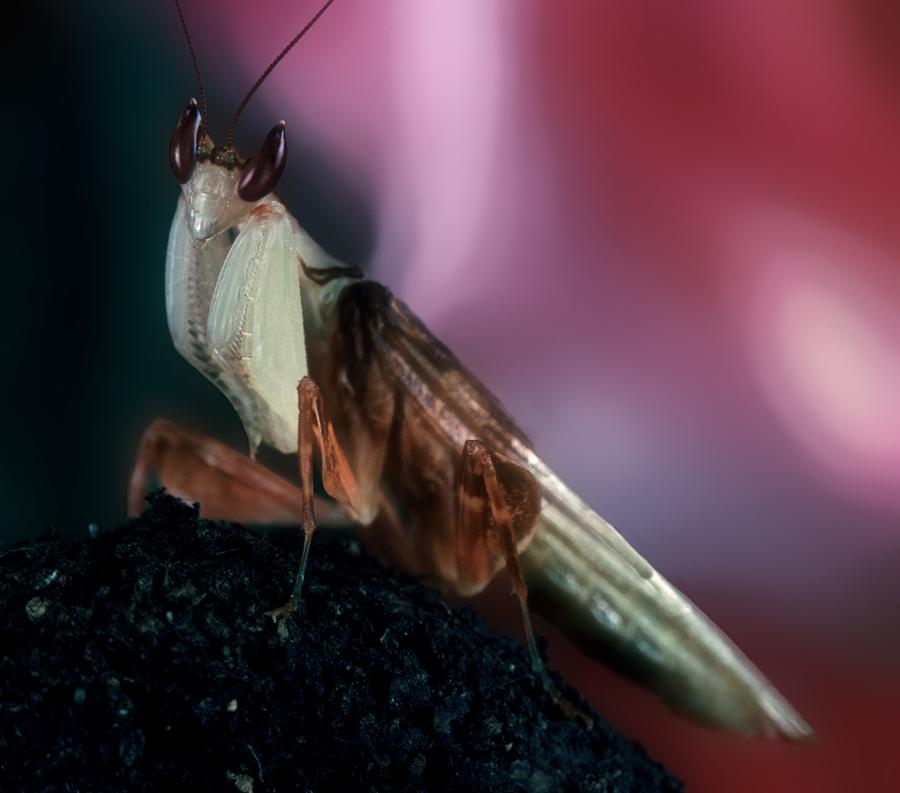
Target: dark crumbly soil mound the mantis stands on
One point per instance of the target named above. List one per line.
(144, 659)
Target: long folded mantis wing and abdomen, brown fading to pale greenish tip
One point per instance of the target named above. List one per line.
(583, 575)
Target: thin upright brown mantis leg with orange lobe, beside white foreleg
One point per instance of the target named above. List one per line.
(337, 478)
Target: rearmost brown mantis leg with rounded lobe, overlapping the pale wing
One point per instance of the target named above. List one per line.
(499, 502)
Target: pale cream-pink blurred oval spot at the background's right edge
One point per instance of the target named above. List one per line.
(823, 324)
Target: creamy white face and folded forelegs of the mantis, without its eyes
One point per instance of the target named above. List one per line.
(234, 300)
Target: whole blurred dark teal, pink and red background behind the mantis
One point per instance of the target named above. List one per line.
(666, 236)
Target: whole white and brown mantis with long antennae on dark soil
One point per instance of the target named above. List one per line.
(414, 450)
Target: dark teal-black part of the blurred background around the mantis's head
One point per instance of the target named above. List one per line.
(93, 92)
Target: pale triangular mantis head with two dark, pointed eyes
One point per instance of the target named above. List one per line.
(220, 189)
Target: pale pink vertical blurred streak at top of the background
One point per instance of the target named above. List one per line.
(448, 62)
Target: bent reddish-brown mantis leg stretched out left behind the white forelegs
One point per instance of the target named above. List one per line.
(227, 484)
